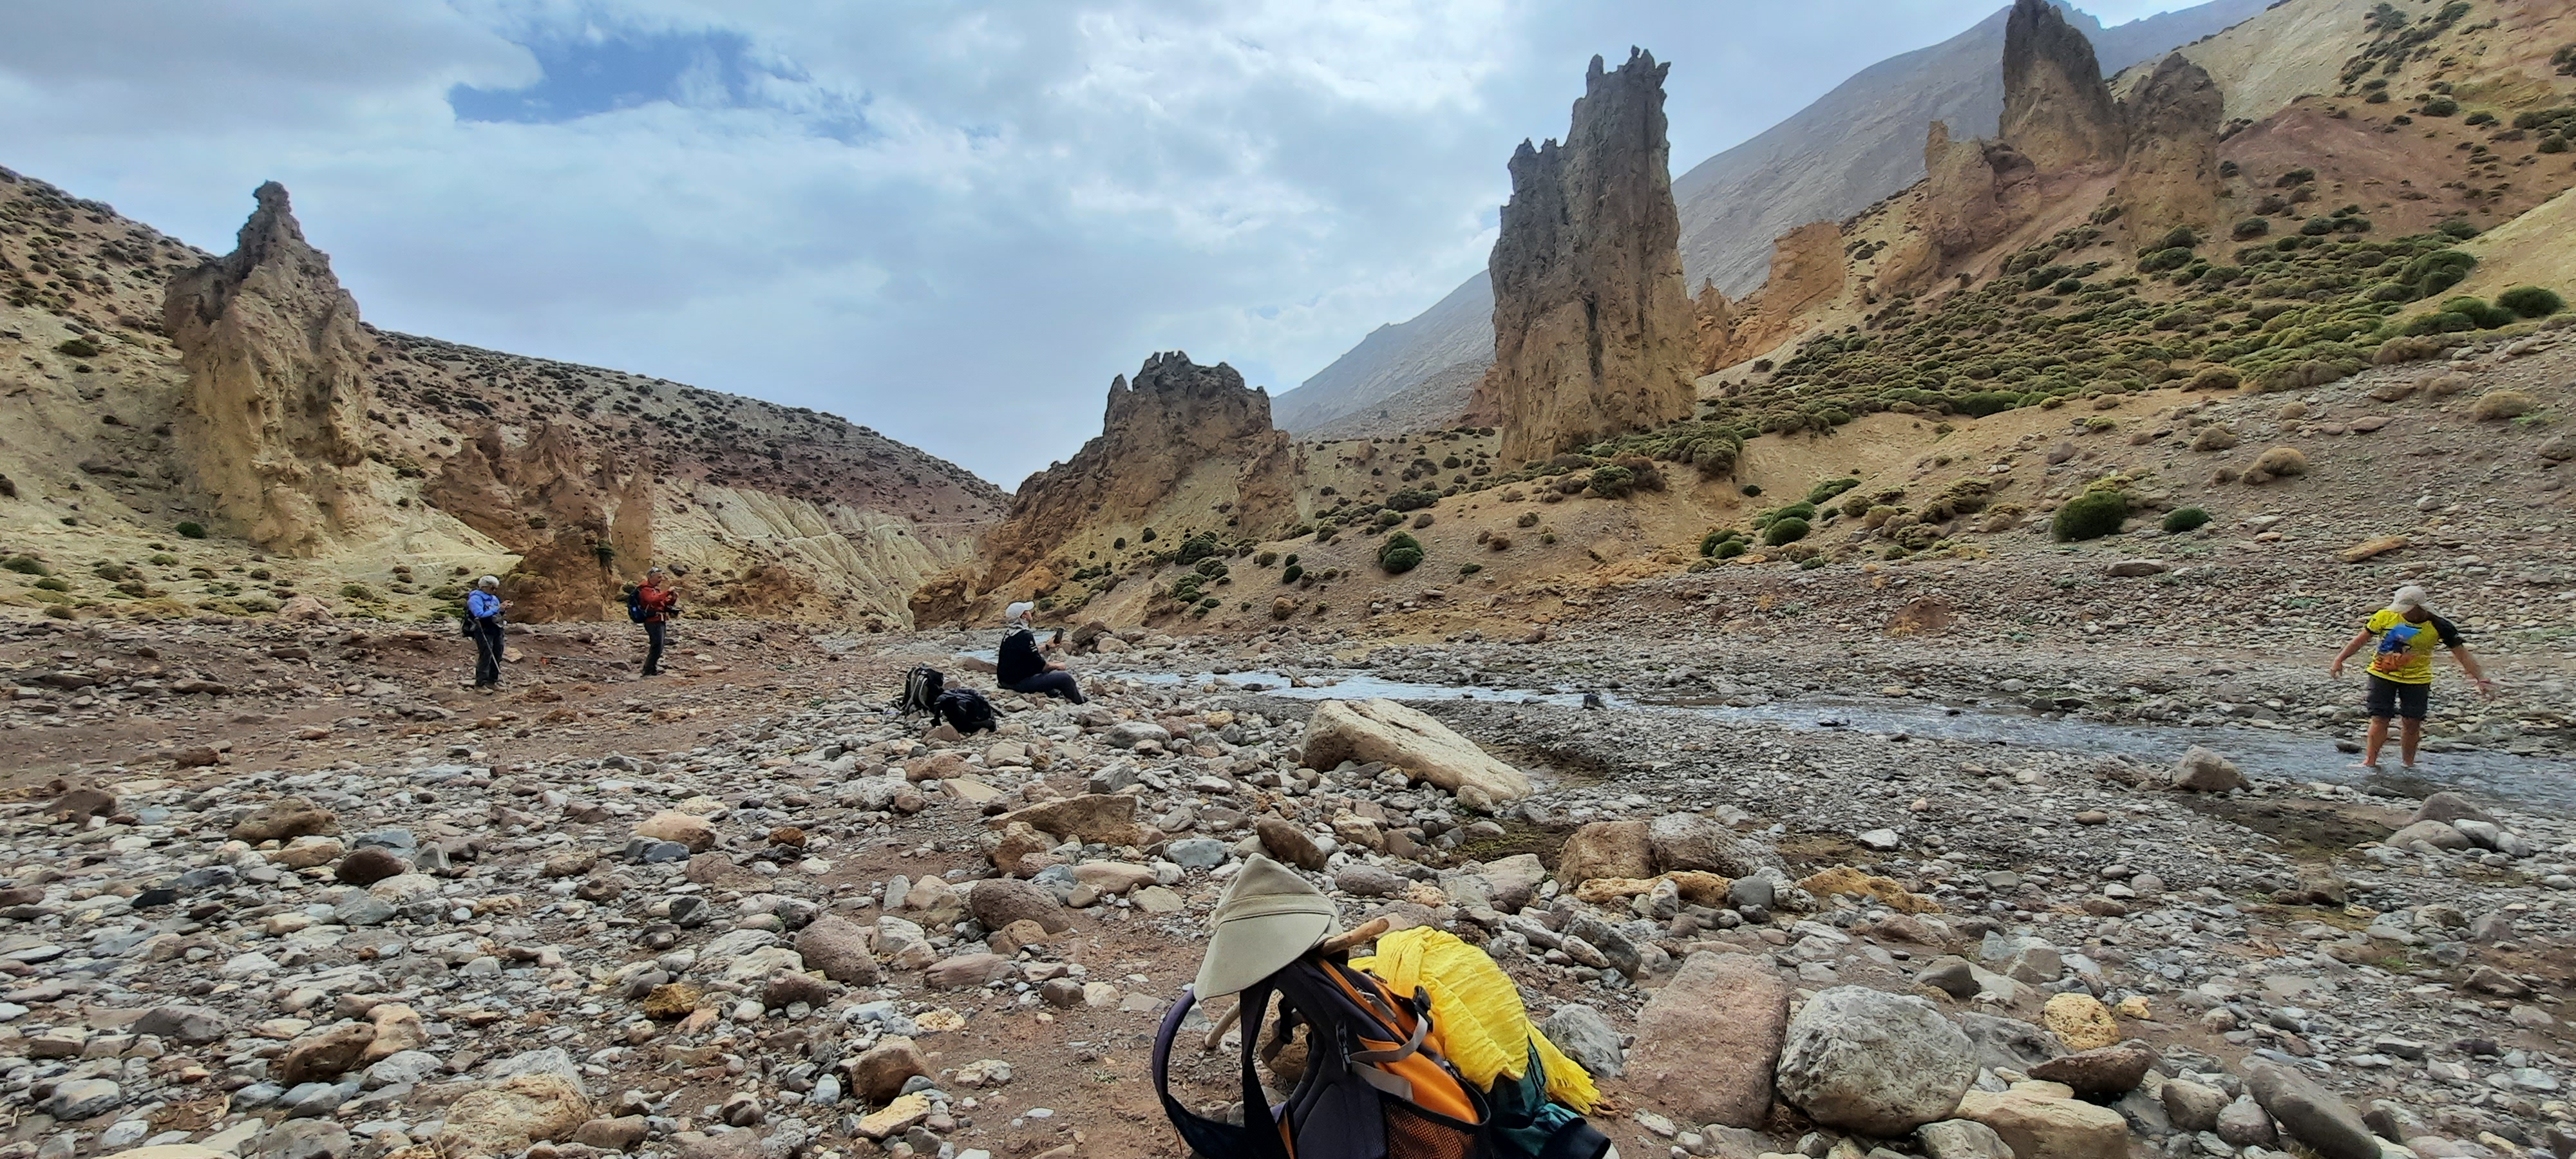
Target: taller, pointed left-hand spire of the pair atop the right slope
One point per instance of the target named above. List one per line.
(2057, 104)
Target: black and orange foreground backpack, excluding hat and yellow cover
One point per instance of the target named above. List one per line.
(1372, 1083)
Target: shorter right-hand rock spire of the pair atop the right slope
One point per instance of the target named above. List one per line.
(2170, 174)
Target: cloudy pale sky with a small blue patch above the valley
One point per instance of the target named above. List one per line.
(944, 220)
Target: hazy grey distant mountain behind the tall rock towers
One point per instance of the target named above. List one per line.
(1830, 161)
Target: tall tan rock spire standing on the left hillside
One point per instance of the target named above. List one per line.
(277, 388)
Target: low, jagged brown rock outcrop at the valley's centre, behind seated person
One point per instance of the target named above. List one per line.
(1181, 449)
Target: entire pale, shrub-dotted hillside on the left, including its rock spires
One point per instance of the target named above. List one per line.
(225, 434)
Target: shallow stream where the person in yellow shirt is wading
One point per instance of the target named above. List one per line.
(2541, 784)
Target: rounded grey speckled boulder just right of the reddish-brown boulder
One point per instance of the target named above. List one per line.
(1874, 1062)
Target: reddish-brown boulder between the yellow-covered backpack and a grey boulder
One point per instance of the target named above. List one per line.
(1707, 1042)
